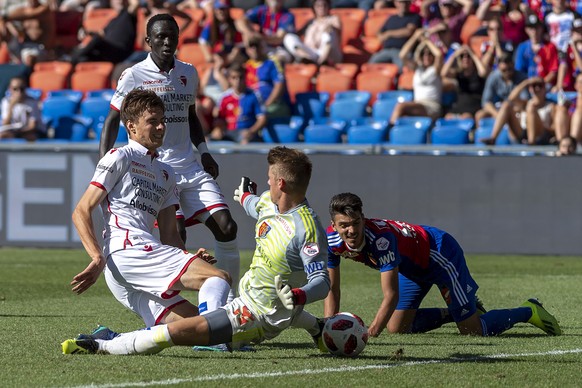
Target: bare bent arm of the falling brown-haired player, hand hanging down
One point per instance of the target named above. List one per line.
(83, 221)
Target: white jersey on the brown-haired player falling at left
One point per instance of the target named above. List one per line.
(138, 186)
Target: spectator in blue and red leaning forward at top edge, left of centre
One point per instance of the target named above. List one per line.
(273, 22)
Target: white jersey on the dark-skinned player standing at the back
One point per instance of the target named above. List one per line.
(178, 90)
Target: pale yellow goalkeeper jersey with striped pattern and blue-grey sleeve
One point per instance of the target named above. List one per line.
(290, 244)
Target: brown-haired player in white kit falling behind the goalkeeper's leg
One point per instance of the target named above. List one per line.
(134, 189)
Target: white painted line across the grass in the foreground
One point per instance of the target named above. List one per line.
(343, 368)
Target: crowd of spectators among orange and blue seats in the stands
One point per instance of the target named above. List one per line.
(503, 71)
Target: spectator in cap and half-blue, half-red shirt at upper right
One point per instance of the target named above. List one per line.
(537, 57)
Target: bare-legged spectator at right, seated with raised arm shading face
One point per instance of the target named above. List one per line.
(533, 124)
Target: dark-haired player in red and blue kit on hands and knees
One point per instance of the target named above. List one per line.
(411, 259)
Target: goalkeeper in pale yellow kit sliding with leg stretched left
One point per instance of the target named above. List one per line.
(291, 250)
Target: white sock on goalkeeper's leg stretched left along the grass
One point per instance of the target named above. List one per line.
(146, 341)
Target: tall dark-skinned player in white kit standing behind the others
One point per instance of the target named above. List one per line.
(176, 82)
